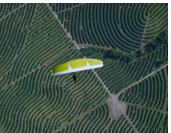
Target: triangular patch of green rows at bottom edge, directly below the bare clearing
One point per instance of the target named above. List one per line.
(99, 121)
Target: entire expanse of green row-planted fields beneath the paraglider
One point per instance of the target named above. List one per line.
(37, 37)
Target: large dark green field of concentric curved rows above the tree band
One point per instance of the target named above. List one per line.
(123, 26)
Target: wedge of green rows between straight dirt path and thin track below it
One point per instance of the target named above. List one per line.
(151, 92)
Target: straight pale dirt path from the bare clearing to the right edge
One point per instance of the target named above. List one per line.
(133, 84)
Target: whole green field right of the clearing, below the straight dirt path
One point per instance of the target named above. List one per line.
(147, 103)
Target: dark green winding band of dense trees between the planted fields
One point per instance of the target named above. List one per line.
(120, 56)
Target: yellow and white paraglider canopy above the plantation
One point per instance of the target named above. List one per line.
(76, 65)
